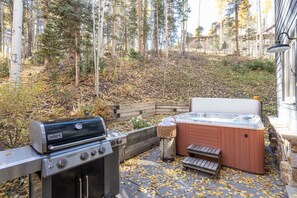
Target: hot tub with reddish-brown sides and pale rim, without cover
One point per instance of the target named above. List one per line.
(239, 136)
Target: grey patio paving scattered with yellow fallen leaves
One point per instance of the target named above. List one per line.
(147, 176)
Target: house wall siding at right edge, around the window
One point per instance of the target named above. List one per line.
(285, 20)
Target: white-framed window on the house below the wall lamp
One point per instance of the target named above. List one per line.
(288, 67)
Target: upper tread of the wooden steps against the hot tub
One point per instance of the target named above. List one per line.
(204, 151)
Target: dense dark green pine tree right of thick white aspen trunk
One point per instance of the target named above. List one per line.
(62, 34)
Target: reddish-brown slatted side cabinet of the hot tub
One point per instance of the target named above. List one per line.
(241, 148)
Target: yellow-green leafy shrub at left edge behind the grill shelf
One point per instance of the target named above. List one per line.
(16, 111)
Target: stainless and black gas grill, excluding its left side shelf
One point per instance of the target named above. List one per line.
(78, 158)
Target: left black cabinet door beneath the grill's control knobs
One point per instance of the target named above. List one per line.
(66, 184)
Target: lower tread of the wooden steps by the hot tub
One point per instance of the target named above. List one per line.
(202, 165)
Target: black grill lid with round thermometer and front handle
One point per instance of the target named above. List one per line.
(54, 133)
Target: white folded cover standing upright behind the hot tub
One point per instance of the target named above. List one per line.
(226, 105)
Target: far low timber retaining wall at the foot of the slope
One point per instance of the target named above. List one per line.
(128, 111)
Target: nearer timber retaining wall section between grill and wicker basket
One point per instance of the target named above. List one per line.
(139, 141)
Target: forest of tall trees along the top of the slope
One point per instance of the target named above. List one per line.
(80, 34)
